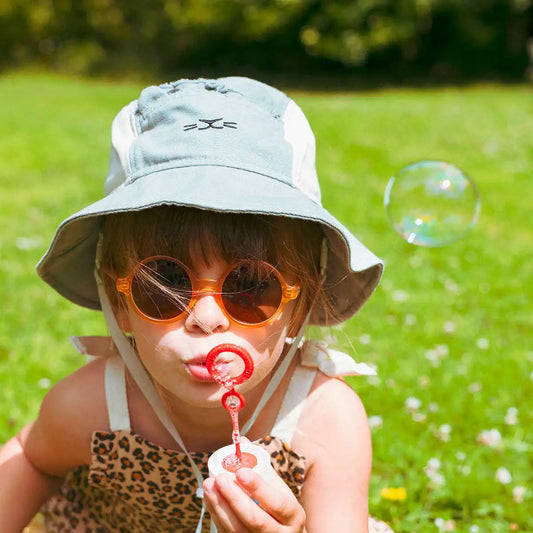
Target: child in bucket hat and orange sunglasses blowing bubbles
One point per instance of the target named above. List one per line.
(211, 231)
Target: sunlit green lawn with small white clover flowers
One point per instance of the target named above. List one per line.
(54, 147)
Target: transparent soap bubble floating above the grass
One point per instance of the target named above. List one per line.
(432, 203)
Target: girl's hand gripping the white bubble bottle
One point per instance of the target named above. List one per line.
(252, 505)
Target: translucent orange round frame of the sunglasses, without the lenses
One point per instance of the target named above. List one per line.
(201, 286)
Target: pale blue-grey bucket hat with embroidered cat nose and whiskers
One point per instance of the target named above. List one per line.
(232, 145)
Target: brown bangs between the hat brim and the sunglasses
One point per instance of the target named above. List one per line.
(187, 234)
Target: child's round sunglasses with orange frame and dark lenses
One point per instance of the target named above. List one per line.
(162, 289)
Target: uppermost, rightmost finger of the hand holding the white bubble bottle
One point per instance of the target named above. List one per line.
(275, 497)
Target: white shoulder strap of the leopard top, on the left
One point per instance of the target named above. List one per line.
(116, 396)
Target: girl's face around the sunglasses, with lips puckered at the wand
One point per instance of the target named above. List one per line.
(174, 353)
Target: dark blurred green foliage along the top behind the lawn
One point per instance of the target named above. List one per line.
(430, 40)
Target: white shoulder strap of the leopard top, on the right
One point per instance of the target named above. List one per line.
(293, 404)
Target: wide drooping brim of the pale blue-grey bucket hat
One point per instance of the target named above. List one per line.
(352, 273)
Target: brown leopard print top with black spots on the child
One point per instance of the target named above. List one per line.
(134, 486)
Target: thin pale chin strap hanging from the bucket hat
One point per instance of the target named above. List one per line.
(146, 385)
